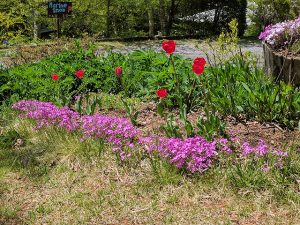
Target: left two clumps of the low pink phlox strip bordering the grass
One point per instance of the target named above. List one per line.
(117, 131)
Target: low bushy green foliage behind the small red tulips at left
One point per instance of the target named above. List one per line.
(144, 71)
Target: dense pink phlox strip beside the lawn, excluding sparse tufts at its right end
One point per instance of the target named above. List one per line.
(194, 154)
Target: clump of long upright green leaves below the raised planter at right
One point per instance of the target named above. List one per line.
(243, 91)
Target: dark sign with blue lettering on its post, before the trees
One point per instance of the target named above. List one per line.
(59, 9)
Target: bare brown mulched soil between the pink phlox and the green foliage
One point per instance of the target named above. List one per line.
(150, 123)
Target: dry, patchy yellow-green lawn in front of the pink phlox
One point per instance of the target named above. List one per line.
(53, 178)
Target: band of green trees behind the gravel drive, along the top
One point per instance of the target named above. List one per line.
(23, 19)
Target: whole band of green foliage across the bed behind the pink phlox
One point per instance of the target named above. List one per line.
(234, 86)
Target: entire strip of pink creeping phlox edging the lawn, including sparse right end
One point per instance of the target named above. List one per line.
(194, 154)
